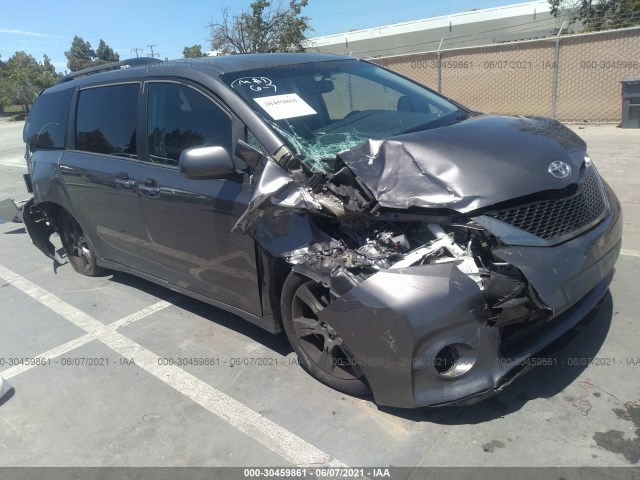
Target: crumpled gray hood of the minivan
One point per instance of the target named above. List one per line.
(468, 165)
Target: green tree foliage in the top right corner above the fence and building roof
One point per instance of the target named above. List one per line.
(596, 15)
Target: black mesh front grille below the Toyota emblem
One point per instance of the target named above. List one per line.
(551, 219)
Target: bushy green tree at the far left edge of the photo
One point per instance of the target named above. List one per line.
(22, 77)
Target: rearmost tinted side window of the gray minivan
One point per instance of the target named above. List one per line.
(47, 121)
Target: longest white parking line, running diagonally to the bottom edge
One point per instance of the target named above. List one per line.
(276, 438)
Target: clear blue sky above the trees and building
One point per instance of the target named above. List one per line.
(47, 27)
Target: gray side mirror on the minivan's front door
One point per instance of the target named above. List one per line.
(202, 163)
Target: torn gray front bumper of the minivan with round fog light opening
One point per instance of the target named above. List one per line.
(397, 321)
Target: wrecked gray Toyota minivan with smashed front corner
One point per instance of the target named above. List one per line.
(407, 246)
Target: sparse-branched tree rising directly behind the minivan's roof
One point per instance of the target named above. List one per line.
(261, 29)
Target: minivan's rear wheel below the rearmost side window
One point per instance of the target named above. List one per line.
(77, 246)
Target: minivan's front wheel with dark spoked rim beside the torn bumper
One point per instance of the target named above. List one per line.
(320, 349)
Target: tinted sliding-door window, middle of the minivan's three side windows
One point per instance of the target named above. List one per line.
(106, 120)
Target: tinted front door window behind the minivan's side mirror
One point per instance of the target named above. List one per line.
(179, 117)
